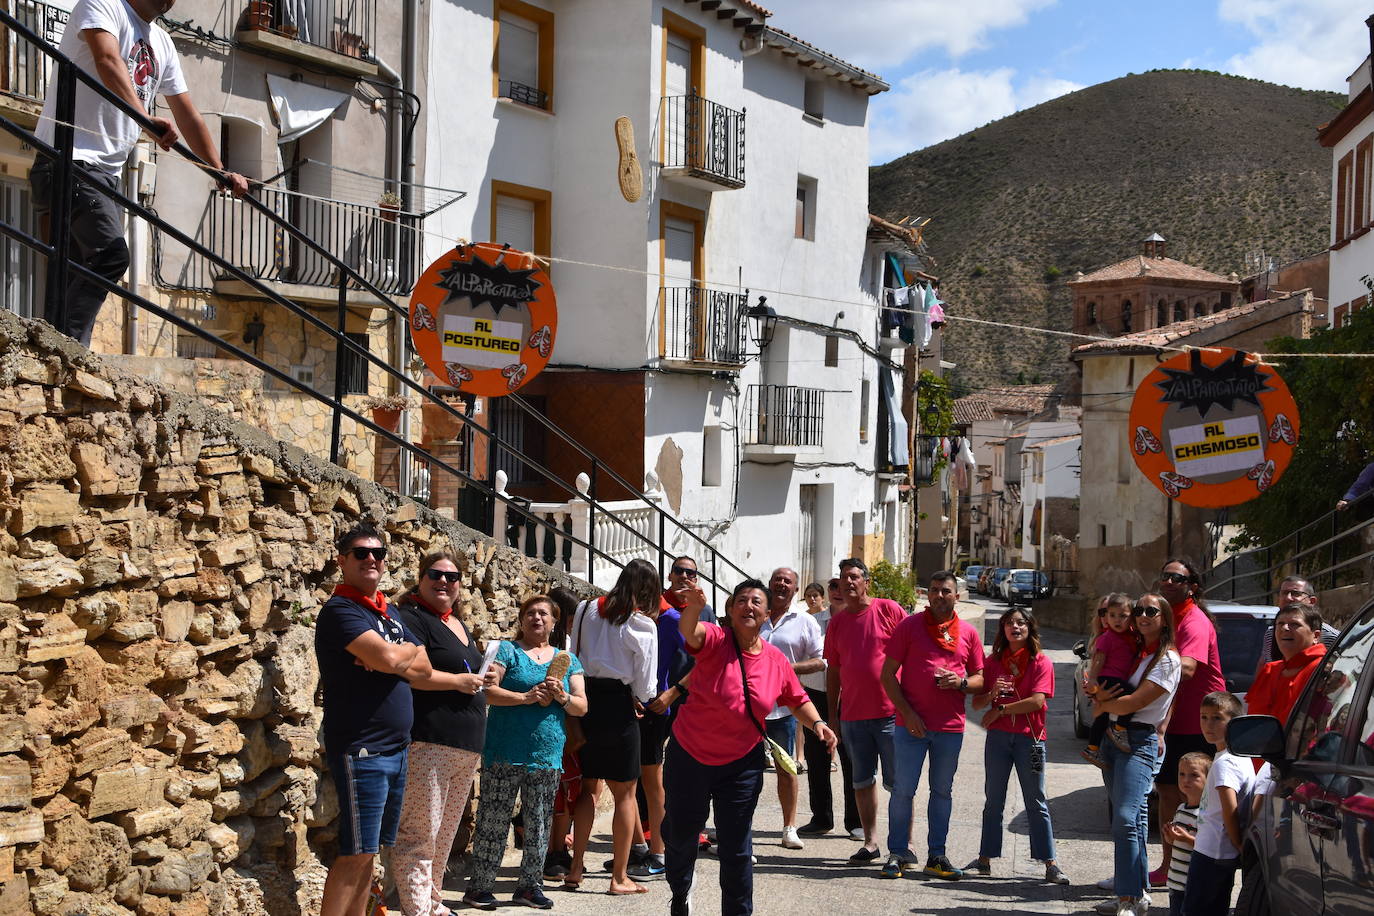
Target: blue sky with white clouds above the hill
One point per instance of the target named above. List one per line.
(956, 65)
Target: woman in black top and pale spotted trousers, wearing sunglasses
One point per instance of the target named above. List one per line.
(446, 741)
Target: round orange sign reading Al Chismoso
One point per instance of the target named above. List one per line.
(1214, 428)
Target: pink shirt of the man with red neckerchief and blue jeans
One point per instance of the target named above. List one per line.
(920, 657)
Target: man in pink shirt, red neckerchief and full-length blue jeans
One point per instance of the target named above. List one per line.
(941, 660)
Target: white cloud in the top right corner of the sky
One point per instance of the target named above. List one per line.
(1313, 45)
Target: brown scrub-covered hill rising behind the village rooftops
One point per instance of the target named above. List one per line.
(1222, 167)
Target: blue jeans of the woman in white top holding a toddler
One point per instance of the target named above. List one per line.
(1129, 778)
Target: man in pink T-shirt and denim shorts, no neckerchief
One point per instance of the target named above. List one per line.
(857, 645)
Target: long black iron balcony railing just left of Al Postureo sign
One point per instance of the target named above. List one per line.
(366, 238)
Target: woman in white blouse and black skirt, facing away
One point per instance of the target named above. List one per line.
(616, 639)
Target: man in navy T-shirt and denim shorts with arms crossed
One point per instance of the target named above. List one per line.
(368, 660)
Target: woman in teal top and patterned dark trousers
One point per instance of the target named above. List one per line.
(535, 687)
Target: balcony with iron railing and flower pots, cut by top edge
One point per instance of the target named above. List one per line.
(336, 34)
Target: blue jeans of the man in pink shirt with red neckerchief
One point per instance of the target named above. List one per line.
(910, 755)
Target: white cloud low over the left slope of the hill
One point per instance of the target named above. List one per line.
(936, 105)
